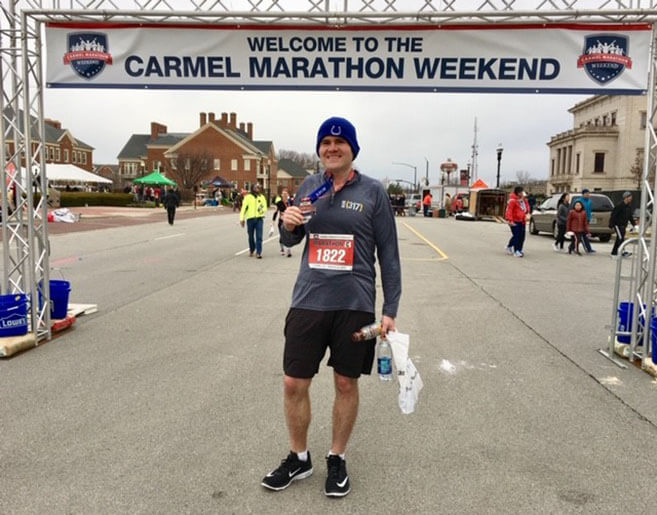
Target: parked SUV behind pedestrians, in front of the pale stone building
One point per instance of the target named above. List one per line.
(544, 217)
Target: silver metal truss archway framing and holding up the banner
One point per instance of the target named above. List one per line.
(24, 233)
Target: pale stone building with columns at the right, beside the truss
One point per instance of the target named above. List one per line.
(602, 149)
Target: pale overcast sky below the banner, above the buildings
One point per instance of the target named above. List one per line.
(399, 127)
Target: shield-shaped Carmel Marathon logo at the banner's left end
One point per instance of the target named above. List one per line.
(87, 53)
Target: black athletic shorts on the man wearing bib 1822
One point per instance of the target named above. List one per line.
(308, 333)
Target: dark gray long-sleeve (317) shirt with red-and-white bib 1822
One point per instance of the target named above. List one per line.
(326, 282)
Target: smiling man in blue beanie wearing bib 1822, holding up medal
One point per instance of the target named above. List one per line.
(334, 296)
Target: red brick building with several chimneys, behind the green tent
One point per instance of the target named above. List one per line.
(228, 150)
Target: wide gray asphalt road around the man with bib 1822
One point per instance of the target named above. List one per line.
(168, 400)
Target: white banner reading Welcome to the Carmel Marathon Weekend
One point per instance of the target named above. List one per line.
(588, 59)
